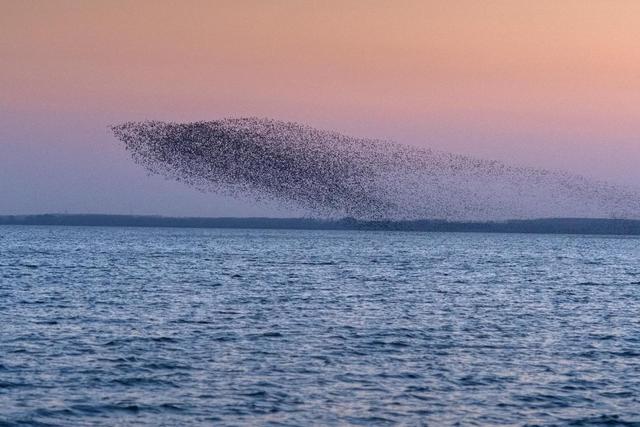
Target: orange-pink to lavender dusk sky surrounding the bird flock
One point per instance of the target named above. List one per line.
(548, 83)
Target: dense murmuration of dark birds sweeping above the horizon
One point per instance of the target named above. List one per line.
(330, 174)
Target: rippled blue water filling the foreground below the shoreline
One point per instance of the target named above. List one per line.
(108, 326)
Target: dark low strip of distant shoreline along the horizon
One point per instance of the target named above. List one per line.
(599, 226)
